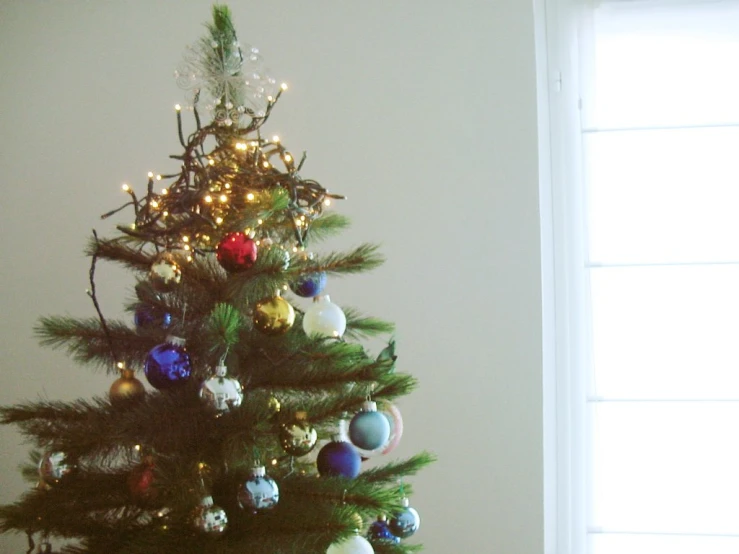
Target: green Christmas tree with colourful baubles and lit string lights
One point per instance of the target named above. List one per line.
(260, 414)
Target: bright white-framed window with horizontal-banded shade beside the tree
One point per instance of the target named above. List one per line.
(644, 103)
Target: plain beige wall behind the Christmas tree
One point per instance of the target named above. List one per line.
(422, 112)
